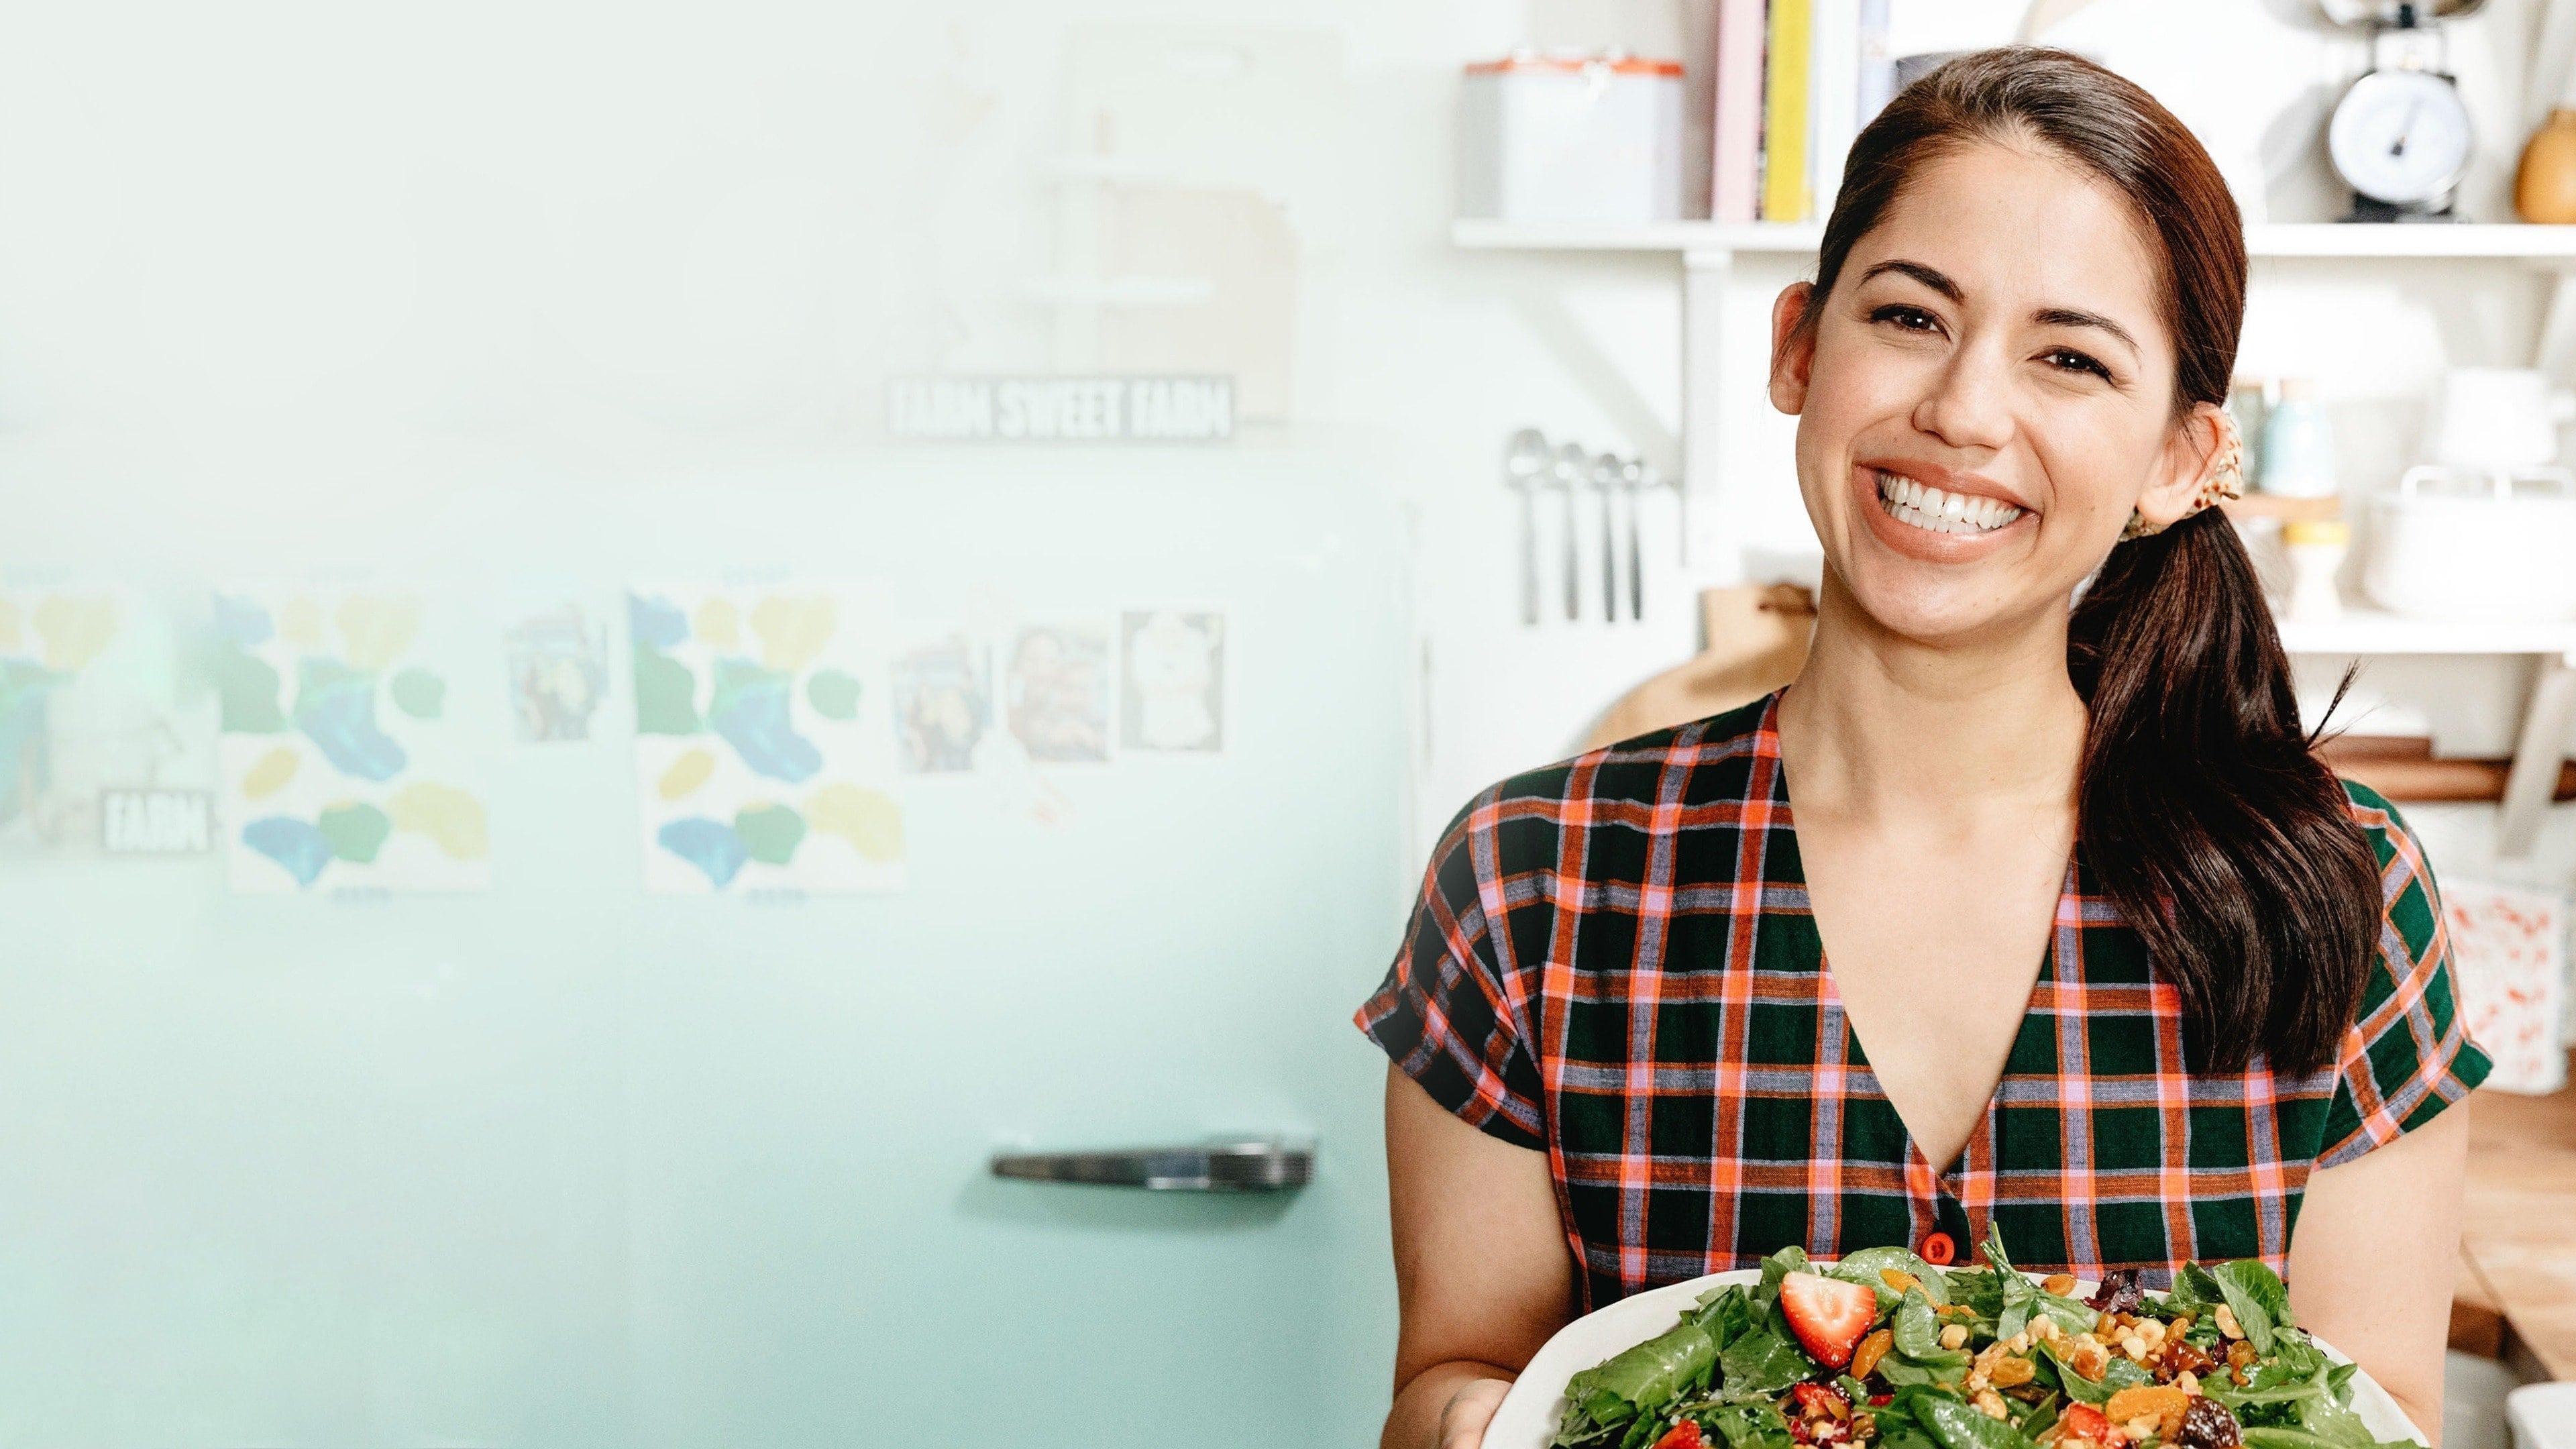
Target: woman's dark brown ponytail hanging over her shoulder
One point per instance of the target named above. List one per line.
(2224, 842)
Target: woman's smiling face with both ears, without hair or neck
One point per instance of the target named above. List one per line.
(1987, 396)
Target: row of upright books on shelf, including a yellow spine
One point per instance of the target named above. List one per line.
(1794, 84)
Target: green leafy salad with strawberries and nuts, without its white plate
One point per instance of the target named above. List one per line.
(1889, 1352)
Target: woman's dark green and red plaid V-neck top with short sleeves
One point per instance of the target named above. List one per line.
(1614, 960)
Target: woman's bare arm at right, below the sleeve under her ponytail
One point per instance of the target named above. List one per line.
(2376, 1254)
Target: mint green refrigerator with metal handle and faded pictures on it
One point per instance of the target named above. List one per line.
(792, 950)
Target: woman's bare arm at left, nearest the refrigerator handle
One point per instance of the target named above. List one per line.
(1482, 1270)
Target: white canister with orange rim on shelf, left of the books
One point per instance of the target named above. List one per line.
(1570, 138)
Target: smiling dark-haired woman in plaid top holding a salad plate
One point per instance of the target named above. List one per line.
(2070, 935)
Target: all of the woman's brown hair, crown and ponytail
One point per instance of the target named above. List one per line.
(2204, 813)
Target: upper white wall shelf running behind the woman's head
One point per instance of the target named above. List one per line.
(2503, 241)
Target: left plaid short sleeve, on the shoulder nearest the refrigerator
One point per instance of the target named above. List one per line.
(1452, 1012)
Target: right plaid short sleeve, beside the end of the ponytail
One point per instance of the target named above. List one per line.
(2410, 1053)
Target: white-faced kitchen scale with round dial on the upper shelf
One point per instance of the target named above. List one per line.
(2402, 138)
